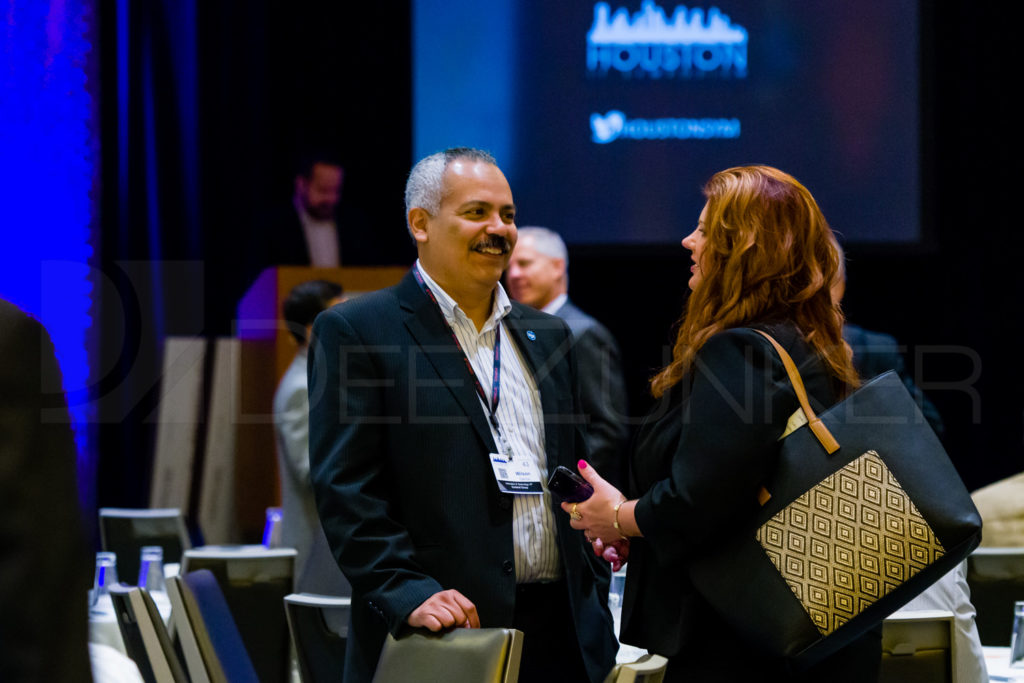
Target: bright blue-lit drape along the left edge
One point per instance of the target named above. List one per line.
(49, 166)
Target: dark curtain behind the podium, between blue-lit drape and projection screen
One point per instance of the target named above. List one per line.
(205, 108)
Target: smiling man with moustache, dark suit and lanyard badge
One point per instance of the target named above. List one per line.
(438, 410)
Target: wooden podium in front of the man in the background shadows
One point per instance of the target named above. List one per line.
(267, 349)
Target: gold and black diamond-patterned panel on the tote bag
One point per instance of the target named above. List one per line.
(848, 542)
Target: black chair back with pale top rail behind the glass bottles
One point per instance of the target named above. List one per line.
(125, 531)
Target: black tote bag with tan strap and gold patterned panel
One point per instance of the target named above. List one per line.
(866, 513)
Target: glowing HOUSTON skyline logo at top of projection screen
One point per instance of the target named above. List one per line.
(649, 45)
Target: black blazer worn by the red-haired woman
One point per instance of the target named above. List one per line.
(699, 463)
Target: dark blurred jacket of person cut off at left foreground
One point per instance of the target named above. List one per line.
(45, 569)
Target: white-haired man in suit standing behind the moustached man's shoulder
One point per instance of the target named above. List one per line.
(538, 277)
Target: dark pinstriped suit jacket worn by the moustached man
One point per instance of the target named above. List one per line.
(399, 461)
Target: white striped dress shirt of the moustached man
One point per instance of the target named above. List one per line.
(522, 420)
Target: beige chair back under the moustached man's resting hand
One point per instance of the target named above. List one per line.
(468, 656)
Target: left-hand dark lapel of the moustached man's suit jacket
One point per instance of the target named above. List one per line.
(429, 328)
